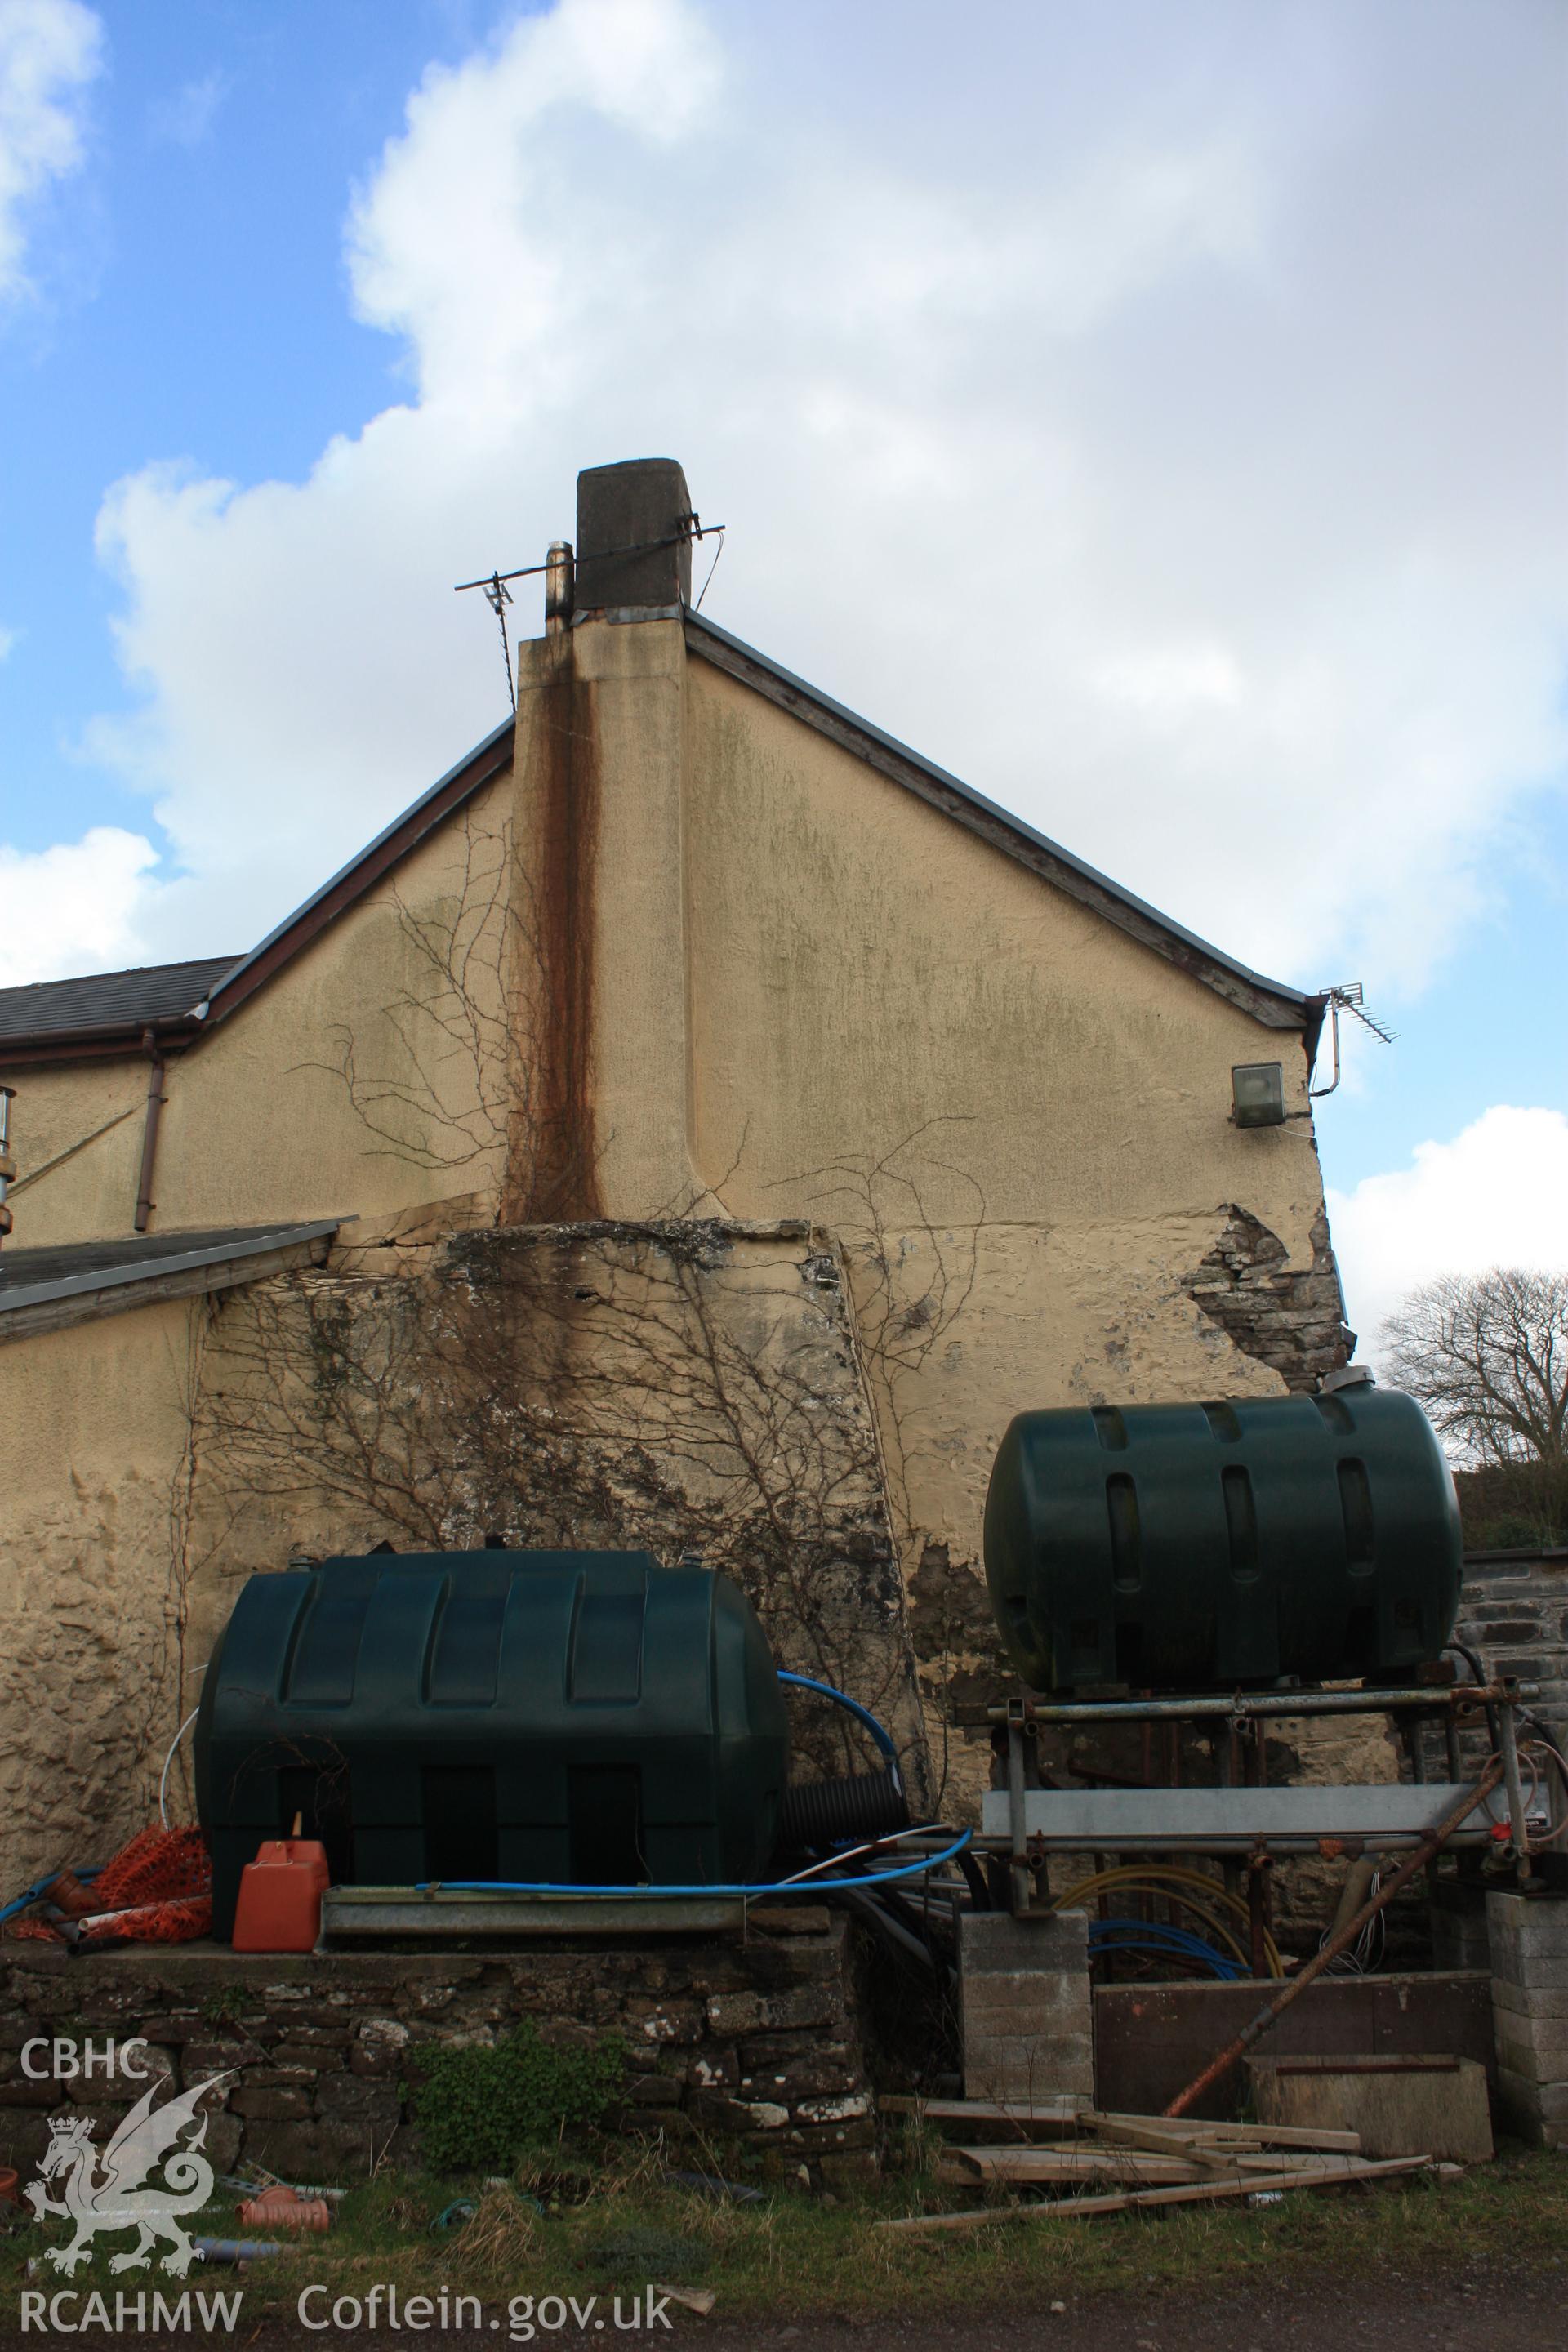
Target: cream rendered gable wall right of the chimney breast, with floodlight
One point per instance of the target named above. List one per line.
(1014, 1116)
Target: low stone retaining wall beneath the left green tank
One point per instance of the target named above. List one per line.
(749, 2045)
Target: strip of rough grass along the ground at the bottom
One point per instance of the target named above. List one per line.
(615, 2224)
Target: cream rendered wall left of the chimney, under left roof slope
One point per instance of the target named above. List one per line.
(368, 1076)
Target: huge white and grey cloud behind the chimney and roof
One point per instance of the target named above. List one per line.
(1153, 415)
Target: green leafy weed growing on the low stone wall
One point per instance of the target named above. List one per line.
(481, 2109)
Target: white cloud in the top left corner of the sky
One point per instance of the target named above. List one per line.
(48, 55)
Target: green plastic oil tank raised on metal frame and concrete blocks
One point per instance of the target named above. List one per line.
(1207, 1546)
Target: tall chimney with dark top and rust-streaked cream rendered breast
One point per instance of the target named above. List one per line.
(601, 869)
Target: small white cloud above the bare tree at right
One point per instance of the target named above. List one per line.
(1494, 1196)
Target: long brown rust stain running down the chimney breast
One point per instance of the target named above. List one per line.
(554, 1151)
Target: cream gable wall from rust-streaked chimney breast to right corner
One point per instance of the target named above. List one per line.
(779, 984)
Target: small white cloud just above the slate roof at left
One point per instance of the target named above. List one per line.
(76, 907)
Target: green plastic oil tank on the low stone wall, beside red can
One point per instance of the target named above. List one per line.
(563, 1718)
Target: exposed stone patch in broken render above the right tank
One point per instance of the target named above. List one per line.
(1294, 1323)
